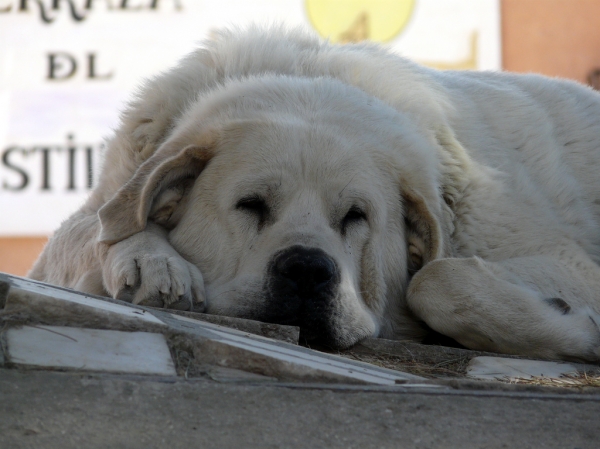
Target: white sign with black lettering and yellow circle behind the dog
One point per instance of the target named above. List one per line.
(67, 67)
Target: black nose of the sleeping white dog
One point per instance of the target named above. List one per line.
(305, 270)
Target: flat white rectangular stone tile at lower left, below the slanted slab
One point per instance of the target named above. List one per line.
(89, 350)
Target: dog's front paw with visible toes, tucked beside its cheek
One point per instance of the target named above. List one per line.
(144, 269)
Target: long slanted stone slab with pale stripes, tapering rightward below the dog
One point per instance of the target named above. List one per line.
(199, 343)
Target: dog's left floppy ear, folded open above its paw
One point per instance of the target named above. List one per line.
(156, 190)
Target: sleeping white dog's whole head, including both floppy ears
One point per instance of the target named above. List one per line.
(304, 202)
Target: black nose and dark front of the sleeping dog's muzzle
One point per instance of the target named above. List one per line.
(301, 286)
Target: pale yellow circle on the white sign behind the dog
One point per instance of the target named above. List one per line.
(357, 20)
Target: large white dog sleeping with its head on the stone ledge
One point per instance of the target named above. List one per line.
(351, 192)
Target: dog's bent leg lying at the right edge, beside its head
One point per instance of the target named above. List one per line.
(535, 306)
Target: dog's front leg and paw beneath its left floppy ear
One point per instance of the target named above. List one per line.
(144, 268)
